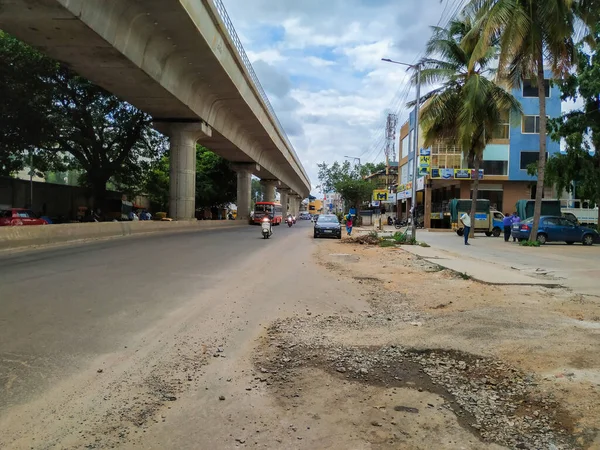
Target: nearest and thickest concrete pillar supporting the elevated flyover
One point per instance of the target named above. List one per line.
(182, 165)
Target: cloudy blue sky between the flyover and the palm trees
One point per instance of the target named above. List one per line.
(320, 64)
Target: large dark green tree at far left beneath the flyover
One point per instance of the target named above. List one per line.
(72, 123)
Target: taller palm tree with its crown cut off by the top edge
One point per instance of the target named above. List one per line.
(530, 34)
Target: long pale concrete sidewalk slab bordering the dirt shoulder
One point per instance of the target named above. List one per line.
(481, 271)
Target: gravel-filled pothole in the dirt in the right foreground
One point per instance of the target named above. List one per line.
(492, 400)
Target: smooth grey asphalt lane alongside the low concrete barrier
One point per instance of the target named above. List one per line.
(61, 308)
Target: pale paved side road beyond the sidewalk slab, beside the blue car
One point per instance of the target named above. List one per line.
(574, 266)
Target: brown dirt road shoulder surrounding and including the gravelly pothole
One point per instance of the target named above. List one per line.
(438, 361)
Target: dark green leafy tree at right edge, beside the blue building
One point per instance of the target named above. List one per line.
(580, 129)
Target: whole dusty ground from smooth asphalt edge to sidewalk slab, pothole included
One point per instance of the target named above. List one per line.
(355, 347)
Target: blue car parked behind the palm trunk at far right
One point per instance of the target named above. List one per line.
(556, 229)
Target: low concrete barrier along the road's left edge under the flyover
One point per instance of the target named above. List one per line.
(16, 238)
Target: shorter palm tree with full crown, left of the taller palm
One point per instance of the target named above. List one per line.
(469, 106)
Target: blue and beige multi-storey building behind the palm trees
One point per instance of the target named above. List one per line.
(445, 174)
